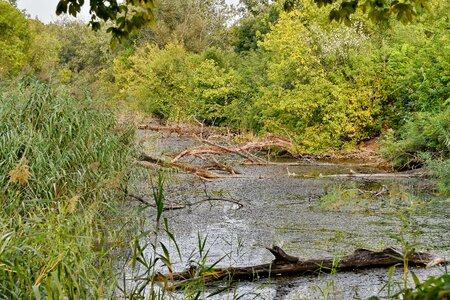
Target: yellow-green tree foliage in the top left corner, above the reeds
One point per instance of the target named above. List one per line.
(14, 39)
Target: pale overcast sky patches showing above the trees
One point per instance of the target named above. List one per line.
(44, 10)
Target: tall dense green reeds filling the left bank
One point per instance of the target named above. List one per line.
(60, 159)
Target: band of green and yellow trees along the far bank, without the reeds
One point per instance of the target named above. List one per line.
(327, 87)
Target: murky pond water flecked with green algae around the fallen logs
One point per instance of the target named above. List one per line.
(307, 214)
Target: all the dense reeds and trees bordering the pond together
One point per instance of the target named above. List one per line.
(324, 86)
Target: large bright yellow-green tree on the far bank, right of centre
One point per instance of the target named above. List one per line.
(309, 99)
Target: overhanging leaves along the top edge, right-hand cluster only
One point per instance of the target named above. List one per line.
(405, 11)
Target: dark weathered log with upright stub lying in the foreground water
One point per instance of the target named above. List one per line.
(285, 264)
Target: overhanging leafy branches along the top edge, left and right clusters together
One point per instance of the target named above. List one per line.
(131, 15)
